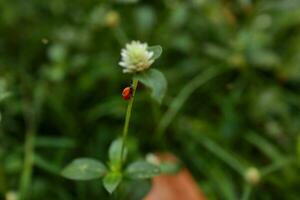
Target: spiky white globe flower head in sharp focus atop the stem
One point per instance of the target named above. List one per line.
(136, 57)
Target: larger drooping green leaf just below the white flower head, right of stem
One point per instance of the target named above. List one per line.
(156, 81)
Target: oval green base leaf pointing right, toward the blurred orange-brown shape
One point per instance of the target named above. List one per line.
(142, 170)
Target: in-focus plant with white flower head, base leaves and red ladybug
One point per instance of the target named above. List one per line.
(136, 60)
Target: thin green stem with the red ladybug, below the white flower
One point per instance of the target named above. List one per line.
(127, 119)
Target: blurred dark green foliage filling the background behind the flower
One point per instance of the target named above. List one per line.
(233, 101)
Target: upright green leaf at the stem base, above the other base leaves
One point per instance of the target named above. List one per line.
(115, 151)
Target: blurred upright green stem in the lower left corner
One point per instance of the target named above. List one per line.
(28, 164)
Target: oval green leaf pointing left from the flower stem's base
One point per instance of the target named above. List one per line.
(84, 169)
